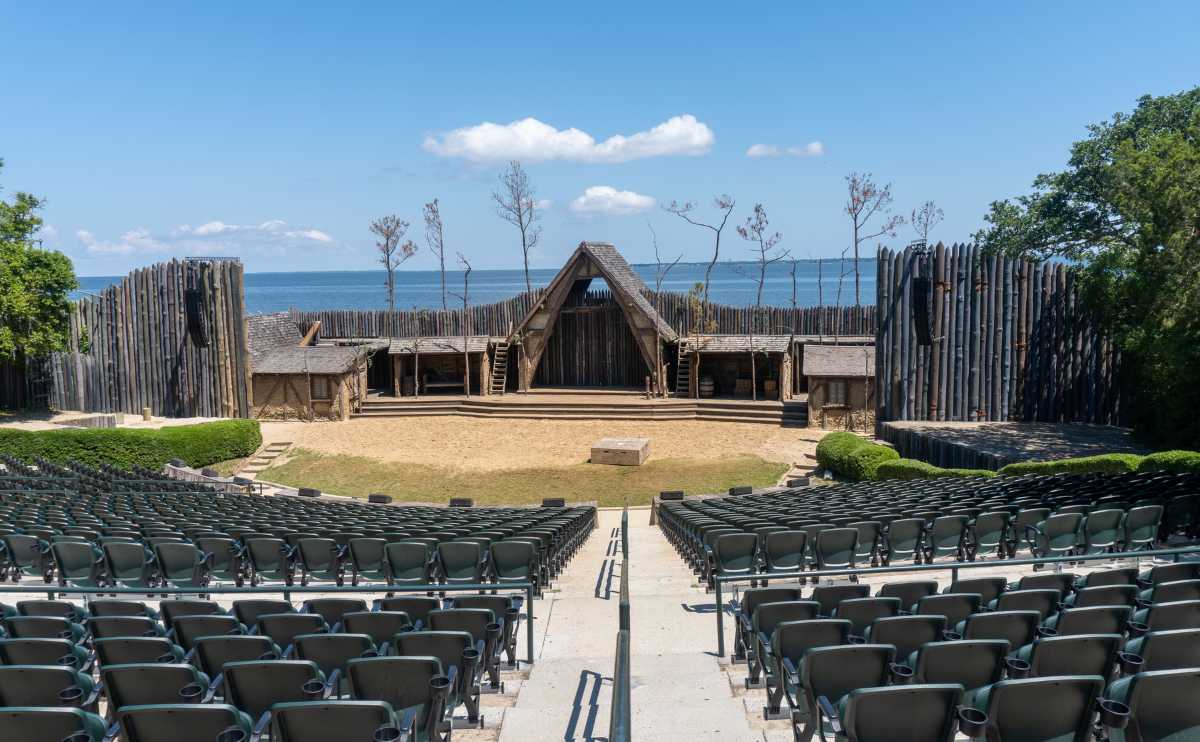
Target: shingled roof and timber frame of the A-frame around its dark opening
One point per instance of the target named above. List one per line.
(589, 262)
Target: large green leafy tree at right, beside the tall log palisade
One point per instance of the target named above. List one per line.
(1127, 211)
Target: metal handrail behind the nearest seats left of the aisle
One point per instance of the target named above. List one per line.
(56, 590)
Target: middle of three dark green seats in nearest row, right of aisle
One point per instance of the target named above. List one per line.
(1049, 709)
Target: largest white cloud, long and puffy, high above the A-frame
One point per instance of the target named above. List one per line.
(533, 141)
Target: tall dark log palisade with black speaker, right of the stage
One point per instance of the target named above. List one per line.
(1011, 342)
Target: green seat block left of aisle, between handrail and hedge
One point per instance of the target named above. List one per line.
(193, 538)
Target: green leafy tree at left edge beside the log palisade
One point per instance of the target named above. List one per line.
(34, 284)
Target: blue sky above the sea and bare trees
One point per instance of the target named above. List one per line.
(278, 131)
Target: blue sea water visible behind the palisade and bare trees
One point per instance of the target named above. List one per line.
(736, 284)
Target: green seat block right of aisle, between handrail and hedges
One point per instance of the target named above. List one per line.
(849, 526)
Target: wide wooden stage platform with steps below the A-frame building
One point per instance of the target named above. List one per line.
(575, 404)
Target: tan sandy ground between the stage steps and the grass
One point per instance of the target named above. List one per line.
(490, 445)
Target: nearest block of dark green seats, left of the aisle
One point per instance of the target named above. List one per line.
(190, 671)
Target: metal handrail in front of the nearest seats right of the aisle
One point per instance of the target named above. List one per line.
(953, 567)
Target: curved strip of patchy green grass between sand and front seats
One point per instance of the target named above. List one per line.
(608, 486)
